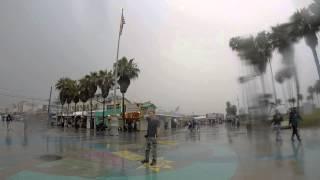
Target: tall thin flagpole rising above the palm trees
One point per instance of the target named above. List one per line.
(116, 69)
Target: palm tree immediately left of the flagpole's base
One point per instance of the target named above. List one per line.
(105, 82)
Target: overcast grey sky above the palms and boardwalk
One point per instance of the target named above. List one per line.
(181, 46)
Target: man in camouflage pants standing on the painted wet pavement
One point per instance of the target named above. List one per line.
(151, 136)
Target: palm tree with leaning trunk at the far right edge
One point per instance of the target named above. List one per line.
(305, 26)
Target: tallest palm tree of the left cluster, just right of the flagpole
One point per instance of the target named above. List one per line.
(127, 71)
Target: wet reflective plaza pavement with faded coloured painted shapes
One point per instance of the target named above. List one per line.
(34, 151)
